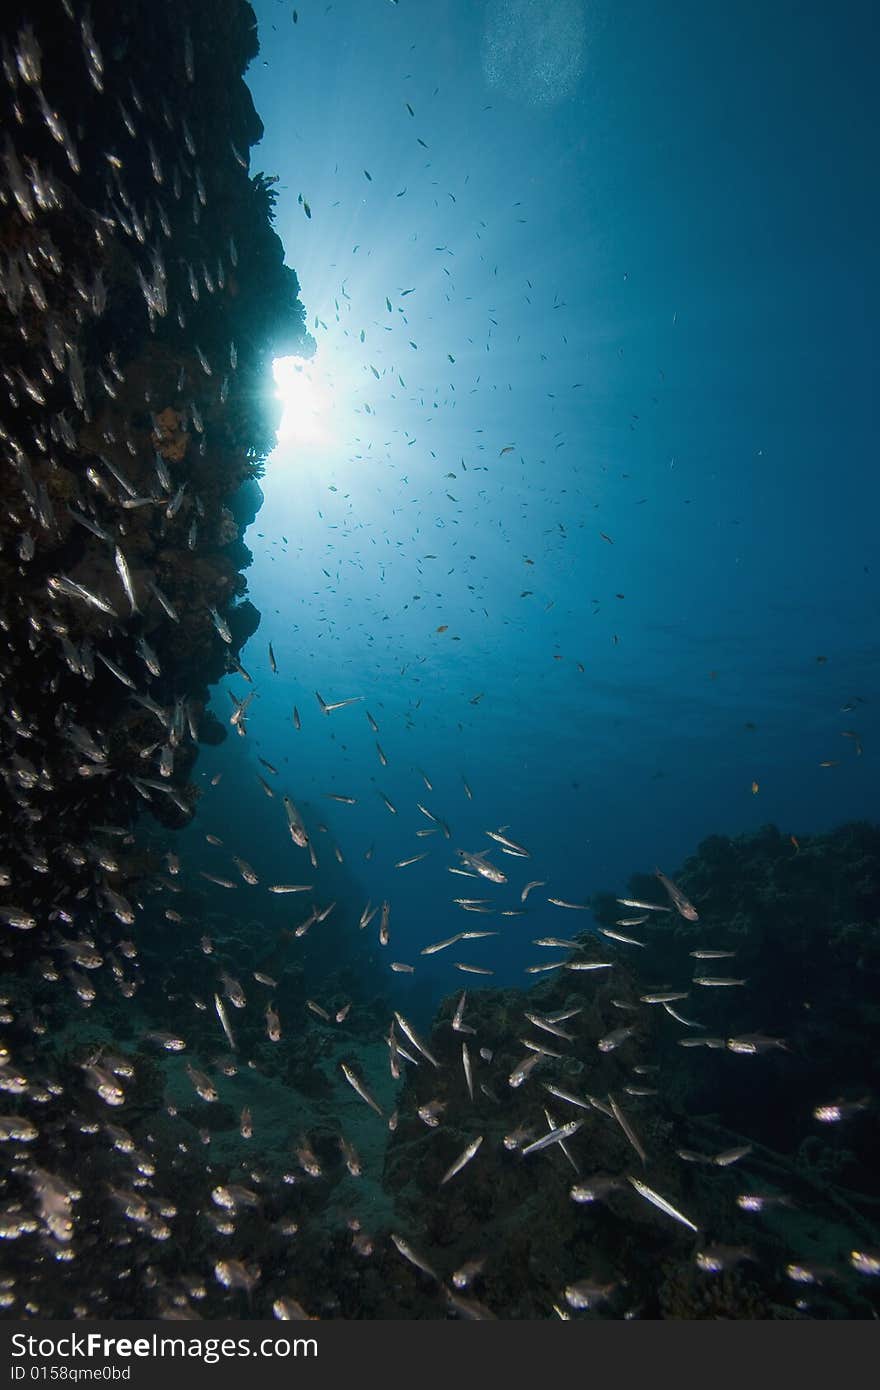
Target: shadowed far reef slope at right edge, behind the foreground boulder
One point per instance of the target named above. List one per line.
(804, 921)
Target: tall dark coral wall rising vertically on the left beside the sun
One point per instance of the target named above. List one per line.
(142, 298)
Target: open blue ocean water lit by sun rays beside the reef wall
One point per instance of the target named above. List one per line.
(586, 516)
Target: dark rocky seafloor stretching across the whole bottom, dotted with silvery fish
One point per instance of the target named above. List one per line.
(719, 1109)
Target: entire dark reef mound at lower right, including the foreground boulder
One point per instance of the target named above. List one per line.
(803, 922)
